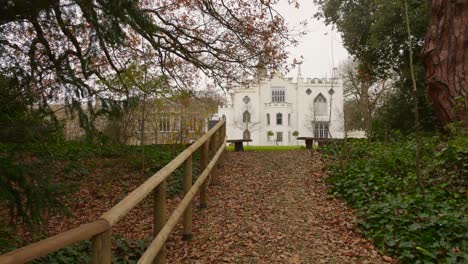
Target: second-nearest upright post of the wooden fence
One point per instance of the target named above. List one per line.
(159, 217)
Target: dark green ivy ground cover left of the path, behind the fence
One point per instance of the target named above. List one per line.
(74, 162)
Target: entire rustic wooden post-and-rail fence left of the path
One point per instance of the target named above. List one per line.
(99, 231)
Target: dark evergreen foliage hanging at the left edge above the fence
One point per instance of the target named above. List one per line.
(24, 176)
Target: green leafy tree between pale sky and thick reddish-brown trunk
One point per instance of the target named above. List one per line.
(374, 33)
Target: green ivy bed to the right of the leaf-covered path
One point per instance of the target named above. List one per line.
(380, 182)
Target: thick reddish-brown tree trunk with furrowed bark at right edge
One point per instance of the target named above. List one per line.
(446, 59)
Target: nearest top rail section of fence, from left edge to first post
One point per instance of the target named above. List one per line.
(54, 243)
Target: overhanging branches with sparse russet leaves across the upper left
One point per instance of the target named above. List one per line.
(63, 47)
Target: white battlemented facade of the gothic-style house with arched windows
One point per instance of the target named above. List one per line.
(297, 103)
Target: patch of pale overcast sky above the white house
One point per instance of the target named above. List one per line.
(316, 46)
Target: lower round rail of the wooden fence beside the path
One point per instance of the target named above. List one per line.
(161, 238)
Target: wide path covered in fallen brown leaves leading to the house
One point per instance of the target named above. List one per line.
(272, 207)
